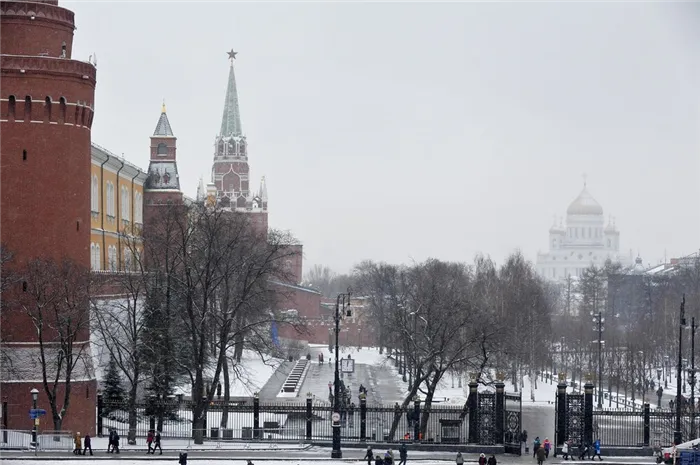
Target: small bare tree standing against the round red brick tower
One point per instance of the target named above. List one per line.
(56, 299)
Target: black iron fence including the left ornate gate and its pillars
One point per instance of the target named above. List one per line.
(311, 421)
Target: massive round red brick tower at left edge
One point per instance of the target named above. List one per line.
(46, 111)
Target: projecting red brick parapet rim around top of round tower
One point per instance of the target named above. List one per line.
(60, 67)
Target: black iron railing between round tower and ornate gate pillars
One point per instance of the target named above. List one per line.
(287, 422)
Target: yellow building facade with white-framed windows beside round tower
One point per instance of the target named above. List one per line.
(116, 211)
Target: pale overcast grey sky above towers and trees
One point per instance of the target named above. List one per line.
(401, 131)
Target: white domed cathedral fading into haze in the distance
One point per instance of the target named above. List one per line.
(582, 241)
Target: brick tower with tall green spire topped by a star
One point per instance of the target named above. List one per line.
(230, 172)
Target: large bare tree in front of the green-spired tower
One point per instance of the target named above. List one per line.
(224, 287)
